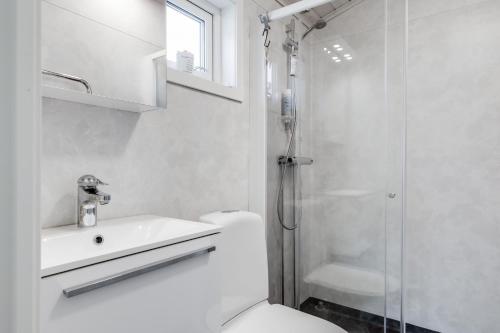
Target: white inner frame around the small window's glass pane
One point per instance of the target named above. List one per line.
(209, 15)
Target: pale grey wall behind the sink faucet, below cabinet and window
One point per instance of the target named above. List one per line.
(182, 162)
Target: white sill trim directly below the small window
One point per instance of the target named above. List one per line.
(197, 83)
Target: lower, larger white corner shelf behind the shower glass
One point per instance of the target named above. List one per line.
(352, 280)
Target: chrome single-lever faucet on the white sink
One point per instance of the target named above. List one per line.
(88, 199)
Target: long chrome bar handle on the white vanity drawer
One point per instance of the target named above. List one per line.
(118, 277)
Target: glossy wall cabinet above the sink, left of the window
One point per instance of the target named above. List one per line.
(103, 53)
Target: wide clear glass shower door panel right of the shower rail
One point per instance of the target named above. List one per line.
(350, 226)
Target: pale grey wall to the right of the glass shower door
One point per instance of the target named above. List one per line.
(454, 166)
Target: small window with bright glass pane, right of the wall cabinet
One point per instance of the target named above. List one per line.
(190, 28)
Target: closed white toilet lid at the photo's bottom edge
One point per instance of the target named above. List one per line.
(266, 318)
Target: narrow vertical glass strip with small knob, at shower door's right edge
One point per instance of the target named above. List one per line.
(396, 127)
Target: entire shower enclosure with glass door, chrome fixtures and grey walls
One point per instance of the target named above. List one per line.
(383, 163)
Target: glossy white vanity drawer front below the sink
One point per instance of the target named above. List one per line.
(180, 297)
